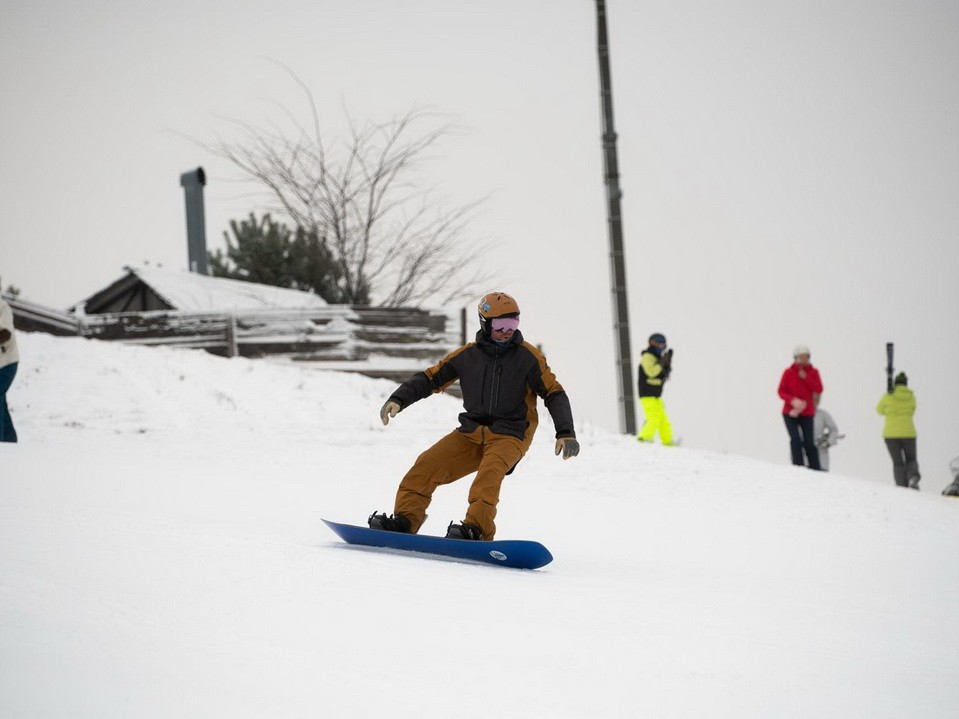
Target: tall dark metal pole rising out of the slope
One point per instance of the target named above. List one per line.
(627, 420)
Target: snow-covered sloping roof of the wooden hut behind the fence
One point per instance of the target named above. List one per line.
(191, 292)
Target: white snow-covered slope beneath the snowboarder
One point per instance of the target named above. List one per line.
(161, 555)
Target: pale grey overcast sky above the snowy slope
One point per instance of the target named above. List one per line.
(791, 174)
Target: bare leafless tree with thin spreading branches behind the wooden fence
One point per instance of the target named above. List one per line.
(389, 240)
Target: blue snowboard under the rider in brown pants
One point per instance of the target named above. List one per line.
(518, 553)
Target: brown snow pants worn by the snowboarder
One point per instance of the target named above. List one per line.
(457, 454)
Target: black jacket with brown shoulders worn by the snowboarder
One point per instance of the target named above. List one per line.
(500, 384)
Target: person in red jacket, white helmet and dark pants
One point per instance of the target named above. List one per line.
(800, 388)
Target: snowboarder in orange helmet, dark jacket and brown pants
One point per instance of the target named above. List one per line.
(500, 376)
